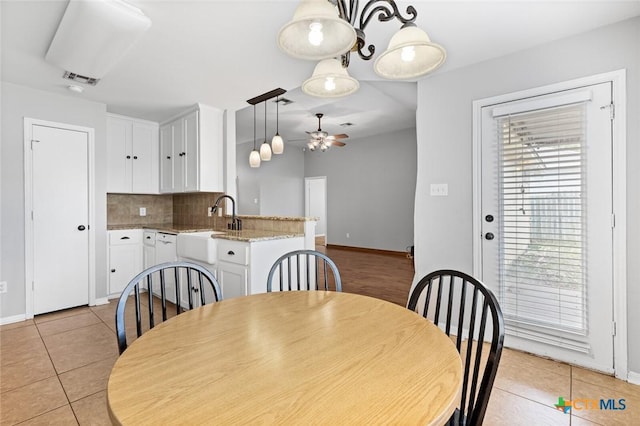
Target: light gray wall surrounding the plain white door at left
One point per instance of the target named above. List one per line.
(19, 102)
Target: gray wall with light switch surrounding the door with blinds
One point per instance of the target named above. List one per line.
(443, 225)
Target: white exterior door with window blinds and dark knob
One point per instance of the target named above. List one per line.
(546, 213)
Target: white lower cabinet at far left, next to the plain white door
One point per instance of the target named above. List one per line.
(125, 258)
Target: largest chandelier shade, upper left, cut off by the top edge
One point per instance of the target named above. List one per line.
(316, 32)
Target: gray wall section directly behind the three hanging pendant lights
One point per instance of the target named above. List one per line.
(278, 185)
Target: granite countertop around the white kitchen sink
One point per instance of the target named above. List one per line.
(248, 235)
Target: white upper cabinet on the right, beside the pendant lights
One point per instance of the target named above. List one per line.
(191, 152)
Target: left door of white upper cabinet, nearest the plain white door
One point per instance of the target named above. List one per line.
(119, 165)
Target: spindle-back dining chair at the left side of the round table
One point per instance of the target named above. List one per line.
(169, 286)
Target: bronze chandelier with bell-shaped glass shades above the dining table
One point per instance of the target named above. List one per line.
(330, 30)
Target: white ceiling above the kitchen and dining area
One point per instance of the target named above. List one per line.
(222, 53)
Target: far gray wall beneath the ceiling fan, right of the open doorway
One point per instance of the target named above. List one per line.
(370, 190)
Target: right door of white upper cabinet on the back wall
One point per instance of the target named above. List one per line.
(144, 155)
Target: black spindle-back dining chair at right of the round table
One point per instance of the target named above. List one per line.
(469, 312)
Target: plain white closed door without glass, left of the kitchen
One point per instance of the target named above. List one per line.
(60, 206)
